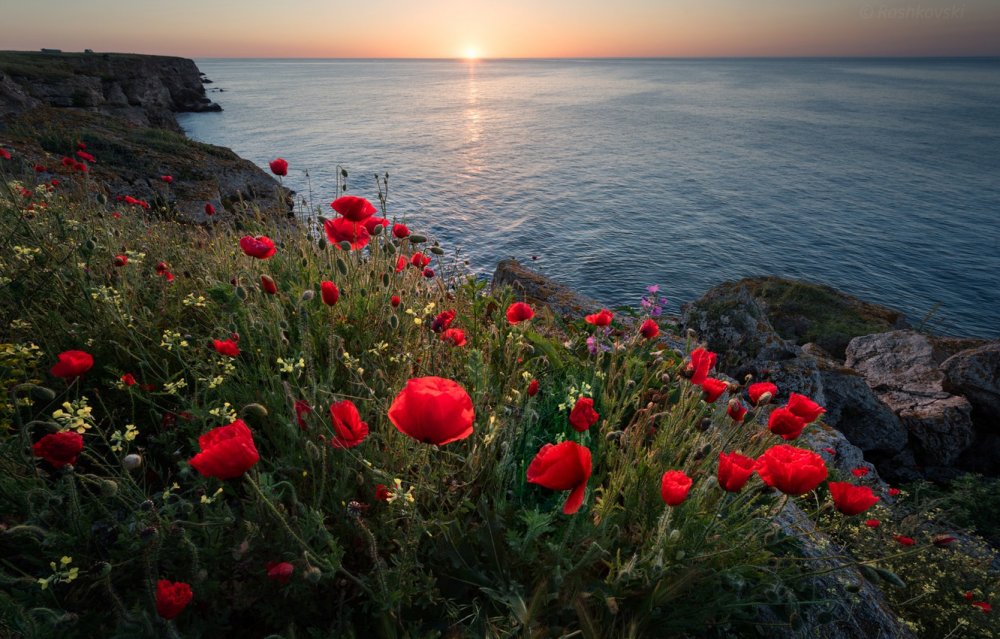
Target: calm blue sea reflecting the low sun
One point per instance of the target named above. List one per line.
(878, 177)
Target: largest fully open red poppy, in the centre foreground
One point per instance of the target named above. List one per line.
(433, 410)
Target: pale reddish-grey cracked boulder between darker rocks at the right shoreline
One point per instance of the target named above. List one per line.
(902, 368)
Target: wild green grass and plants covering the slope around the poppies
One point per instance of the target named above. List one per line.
(465, 547)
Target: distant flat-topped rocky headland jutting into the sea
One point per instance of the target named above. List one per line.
(144, 90)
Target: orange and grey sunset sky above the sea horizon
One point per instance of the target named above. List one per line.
(506, 28)
